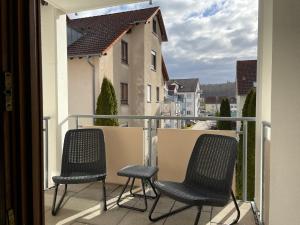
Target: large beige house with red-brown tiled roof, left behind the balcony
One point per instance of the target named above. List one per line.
(125, 47)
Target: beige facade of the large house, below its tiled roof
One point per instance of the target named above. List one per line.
(144, 81)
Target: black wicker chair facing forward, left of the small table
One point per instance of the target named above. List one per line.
(83, 161)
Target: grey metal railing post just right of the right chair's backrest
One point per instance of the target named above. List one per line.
(245, 157)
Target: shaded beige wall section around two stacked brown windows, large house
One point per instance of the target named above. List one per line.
(132, 74)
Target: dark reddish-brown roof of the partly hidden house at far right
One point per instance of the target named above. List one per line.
(245, 76)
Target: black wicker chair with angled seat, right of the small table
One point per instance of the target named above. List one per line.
(208, 178)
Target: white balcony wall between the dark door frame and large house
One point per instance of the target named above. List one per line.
(55, 83)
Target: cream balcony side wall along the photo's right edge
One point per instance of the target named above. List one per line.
(278, 81)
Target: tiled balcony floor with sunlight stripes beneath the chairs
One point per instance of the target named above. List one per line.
(81, 206)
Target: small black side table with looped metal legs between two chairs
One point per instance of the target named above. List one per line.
(145, 173)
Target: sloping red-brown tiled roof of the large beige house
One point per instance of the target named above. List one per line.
(100, 32)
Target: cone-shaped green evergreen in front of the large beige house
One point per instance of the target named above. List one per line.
(107, 104)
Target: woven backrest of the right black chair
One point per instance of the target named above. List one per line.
(212, 162)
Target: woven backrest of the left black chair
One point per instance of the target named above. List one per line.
(83, 153)
